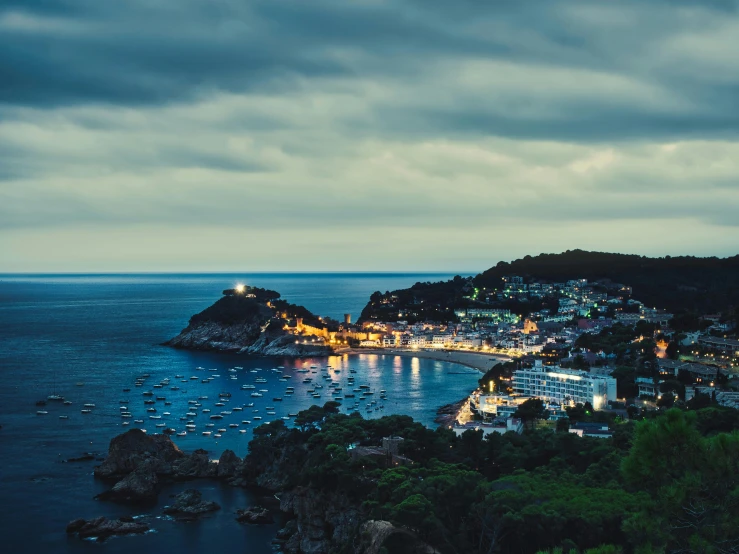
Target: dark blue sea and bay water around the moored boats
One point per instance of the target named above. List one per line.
(89, 337)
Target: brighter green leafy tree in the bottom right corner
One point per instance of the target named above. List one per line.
(691, 481)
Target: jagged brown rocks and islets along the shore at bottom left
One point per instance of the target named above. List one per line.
(138, 464)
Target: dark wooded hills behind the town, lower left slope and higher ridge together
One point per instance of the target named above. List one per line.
(677, 284)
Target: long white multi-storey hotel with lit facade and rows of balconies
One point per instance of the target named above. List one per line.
(564, 386)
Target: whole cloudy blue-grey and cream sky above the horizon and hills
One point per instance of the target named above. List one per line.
(372, 135)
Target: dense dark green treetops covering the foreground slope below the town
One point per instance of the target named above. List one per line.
(666, 484)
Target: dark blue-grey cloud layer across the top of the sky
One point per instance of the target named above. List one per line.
(76, 52)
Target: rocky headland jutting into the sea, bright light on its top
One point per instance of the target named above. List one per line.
(249, 321)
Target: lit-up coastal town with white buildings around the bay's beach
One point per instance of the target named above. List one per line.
(589, 347)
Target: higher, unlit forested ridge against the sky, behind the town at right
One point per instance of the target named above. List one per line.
(673, 283)
